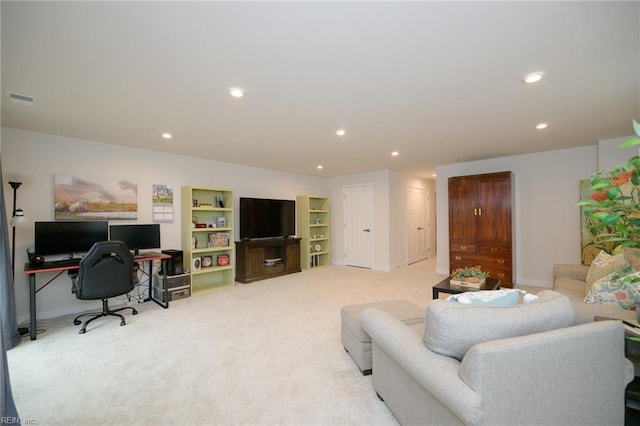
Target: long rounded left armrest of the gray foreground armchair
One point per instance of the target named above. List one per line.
(437, 374)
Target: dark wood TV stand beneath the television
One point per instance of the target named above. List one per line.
(266, 258)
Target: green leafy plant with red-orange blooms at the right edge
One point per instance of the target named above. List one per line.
(613, 209)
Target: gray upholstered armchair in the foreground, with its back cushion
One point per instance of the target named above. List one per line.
(521, 365)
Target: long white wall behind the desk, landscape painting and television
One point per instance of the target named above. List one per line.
(34, 158)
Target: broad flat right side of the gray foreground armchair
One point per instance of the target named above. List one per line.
(548, 368)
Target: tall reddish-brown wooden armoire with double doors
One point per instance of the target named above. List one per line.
(481, 224)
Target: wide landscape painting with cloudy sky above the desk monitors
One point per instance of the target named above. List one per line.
(94, 198)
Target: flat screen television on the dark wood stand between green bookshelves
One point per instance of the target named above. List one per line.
(267, 218)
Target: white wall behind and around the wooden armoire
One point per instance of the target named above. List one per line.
(547, 218)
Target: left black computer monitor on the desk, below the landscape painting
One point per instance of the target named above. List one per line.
(68, 237)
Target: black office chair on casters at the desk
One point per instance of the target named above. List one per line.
(106, 271)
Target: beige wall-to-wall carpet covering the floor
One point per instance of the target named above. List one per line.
(266, 353)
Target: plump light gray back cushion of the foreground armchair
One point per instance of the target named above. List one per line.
(451, 328)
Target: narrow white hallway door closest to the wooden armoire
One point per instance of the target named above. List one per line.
(417, 224)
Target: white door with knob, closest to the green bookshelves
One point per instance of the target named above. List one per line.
(358, 230)
